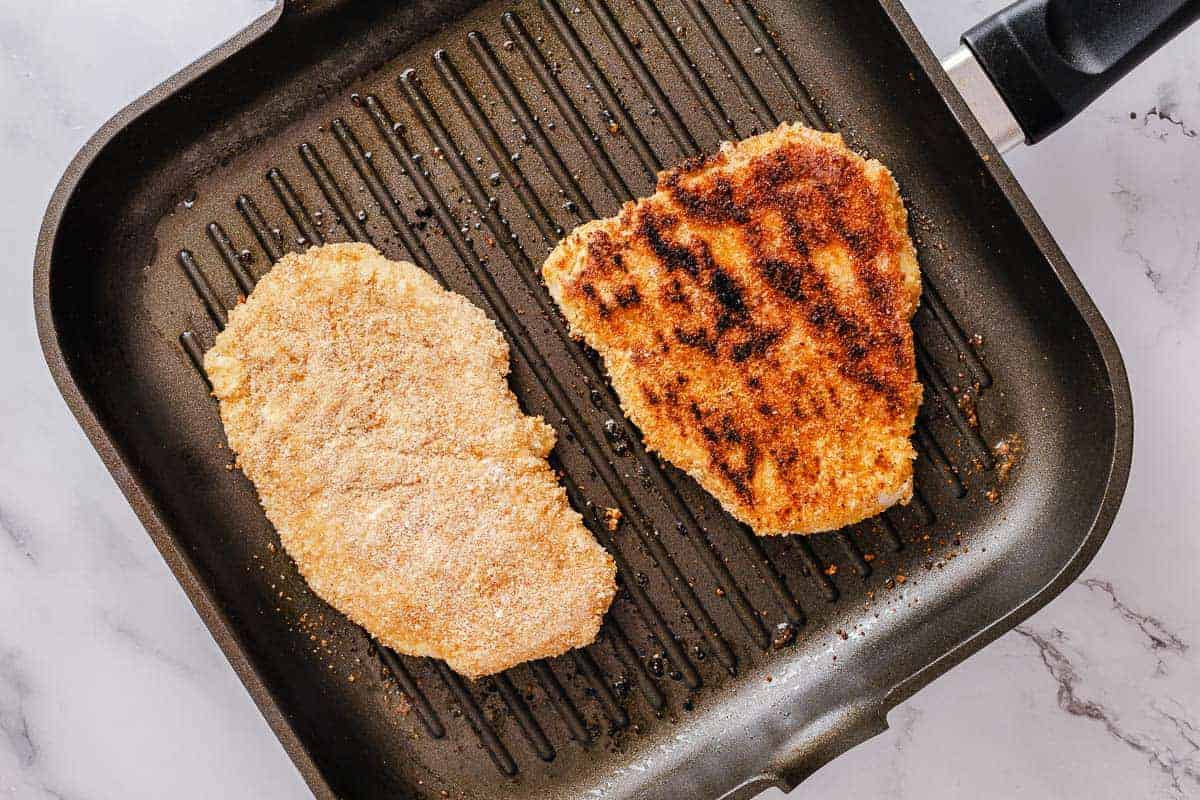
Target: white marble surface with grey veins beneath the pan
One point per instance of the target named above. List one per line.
(112, 688)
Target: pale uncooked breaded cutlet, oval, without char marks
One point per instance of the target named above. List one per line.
(370, 408)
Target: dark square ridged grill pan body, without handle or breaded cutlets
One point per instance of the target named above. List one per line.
(466, 137)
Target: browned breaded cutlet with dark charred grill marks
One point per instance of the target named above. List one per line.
(754, 317)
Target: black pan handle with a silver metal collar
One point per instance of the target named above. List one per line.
(1031, 68)
